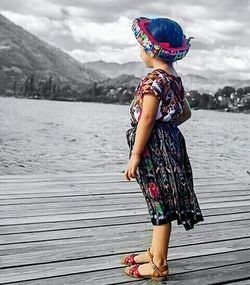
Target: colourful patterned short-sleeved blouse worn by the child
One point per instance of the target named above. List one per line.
(167, 88)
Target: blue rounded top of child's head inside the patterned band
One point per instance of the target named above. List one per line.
(166, 30)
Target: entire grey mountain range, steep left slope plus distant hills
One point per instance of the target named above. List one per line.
(23, 54)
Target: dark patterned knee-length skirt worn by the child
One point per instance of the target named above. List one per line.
(165, 177)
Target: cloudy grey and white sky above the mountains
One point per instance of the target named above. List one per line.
(92, 30)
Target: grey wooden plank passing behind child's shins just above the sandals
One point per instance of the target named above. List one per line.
(107, 247)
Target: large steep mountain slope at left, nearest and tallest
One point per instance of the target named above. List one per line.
(22, 54)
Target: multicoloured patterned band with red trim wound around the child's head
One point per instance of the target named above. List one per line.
(154, 47)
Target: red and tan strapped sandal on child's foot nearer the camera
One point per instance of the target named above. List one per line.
(156, 276)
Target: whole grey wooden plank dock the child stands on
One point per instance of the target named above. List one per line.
(73, 229)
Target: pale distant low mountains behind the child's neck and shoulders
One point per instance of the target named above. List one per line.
(190, 81)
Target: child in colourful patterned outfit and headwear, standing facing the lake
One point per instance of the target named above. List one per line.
(158, 156)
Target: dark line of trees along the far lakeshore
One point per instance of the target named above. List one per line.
(52, 89)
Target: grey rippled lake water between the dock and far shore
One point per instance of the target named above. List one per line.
(40, 136)
